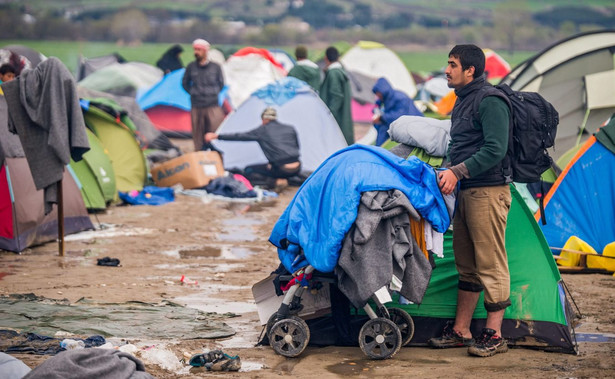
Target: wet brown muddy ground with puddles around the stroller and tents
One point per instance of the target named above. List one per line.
(223, 247)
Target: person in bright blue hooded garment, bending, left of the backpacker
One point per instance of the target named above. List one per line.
(391, 105)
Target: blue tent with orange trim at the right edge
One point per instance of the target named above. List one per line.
(581, 202)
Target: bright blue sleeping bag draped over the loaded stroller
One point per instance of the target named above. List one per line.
(325, 206)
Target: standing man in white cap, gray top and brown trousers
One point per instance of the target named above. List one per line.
(203, 80)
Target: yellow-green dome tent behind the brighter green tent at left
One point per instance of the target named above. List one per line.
(117, 136)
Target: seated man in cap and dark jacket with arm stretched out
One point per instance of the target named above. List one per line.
(278, 141)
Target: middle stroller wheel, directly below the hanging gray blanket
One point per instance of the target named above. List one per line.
(380, 338)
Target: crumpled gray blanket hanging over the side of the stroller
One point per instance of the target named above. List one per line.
(380, 245)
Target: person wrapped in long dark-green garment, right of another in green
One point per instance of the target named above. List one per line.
(335, 92)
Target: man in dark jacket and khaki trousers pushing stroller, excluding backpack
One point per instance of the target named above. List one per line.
(477, 155)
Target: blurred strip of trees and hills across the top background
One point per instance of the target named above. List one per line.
(510, 25)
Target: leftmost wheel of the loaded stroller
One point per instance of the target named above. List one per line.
(289, 336)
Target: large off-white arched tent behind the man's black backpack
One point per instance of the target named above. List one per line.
(562, 74)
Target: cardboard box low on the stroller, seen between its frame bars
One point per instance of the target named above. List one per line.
(267, 302)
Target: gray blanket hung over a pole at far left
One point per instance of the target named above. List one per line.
(44, 111)
